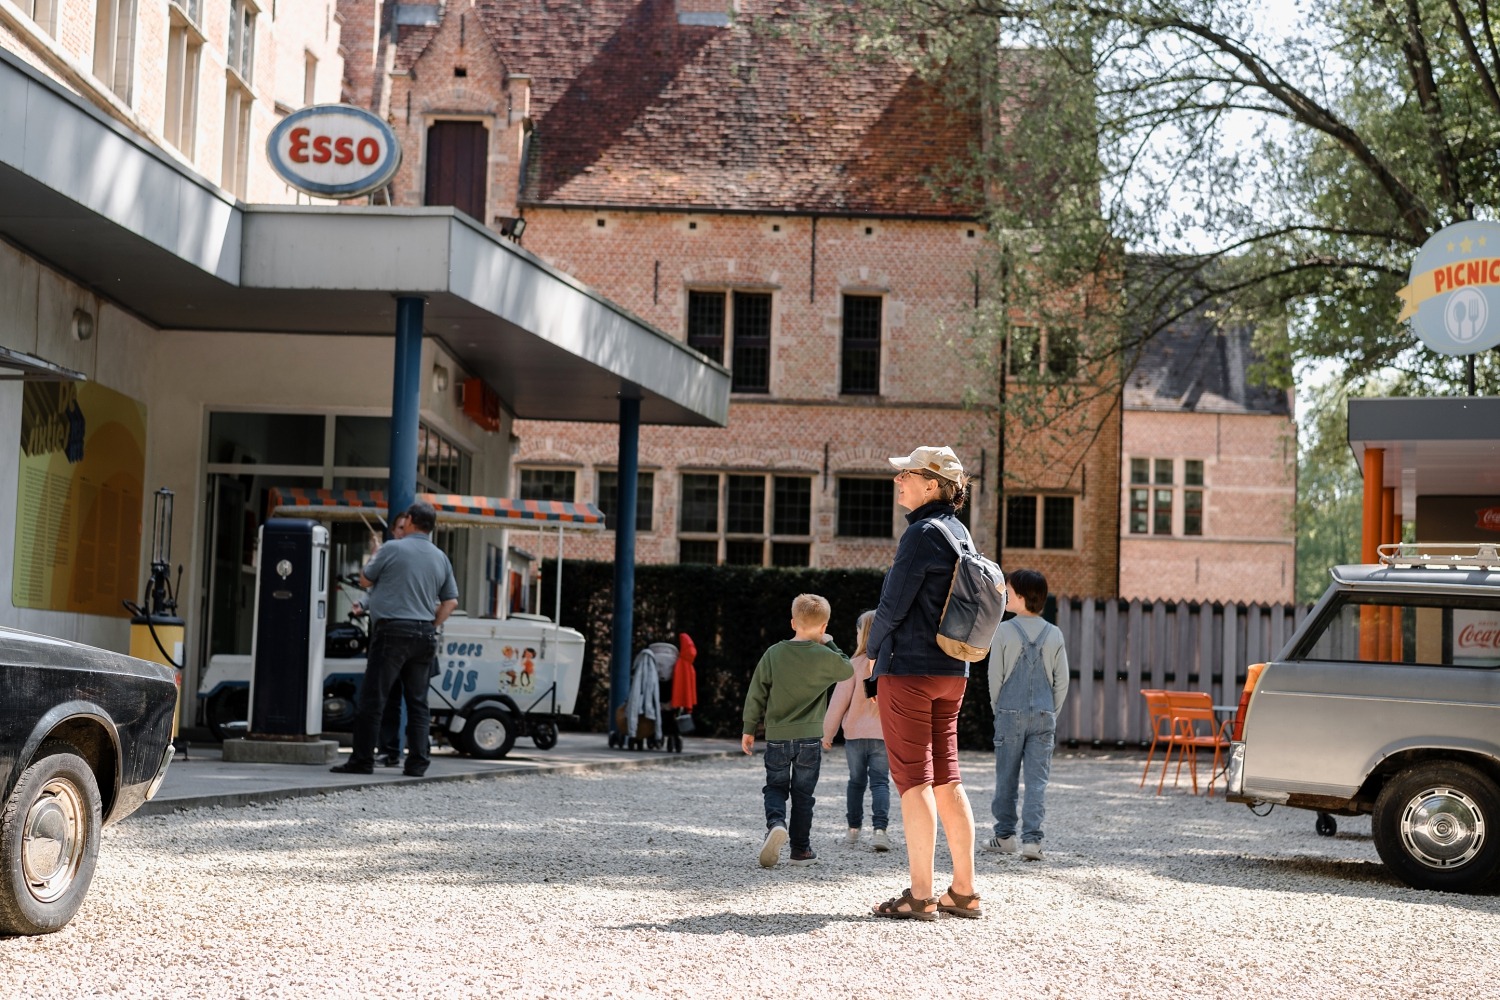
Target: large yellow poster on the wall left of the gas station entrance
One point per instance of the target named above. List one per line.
(80, 500)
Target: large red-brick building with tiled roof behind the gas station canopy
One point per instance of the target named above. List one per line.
(784, 215)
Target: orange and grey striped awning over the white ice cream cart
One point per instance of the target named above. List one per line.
(454, 509)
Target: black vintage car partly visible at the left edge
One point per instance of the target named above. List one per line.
(85, 741)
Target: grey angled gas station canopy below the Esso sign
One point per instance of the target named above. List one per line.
(98, 203)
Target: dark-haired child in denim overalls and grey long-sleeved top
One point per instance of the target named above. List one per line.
(1028, 684)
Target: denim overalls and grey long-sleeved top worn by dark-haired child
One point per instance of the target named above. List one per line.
(1025, 726)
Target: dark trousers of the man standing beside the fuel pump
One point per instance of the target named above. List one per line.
(400, 654)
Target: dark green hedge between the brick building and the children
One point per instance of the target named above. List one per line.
(734, 614)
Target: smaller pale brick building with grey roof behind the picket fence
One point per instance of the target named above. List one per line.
(1210, 472)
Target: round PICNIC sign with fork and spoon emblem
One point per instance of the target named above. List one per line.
(1453, 296)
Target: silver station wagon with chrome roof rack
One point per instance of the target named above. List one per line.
(1388, 702)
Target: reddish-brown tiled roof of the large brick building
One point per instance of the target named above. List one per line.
(635, 110)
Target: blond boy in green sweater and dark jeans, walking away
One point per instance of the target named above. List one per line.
(790, 693)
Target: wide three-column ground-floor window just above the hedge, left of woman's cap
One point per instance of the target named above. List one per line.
(746, 519)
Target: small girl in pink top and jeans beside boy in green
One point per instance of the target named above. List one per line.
(865, 747)
